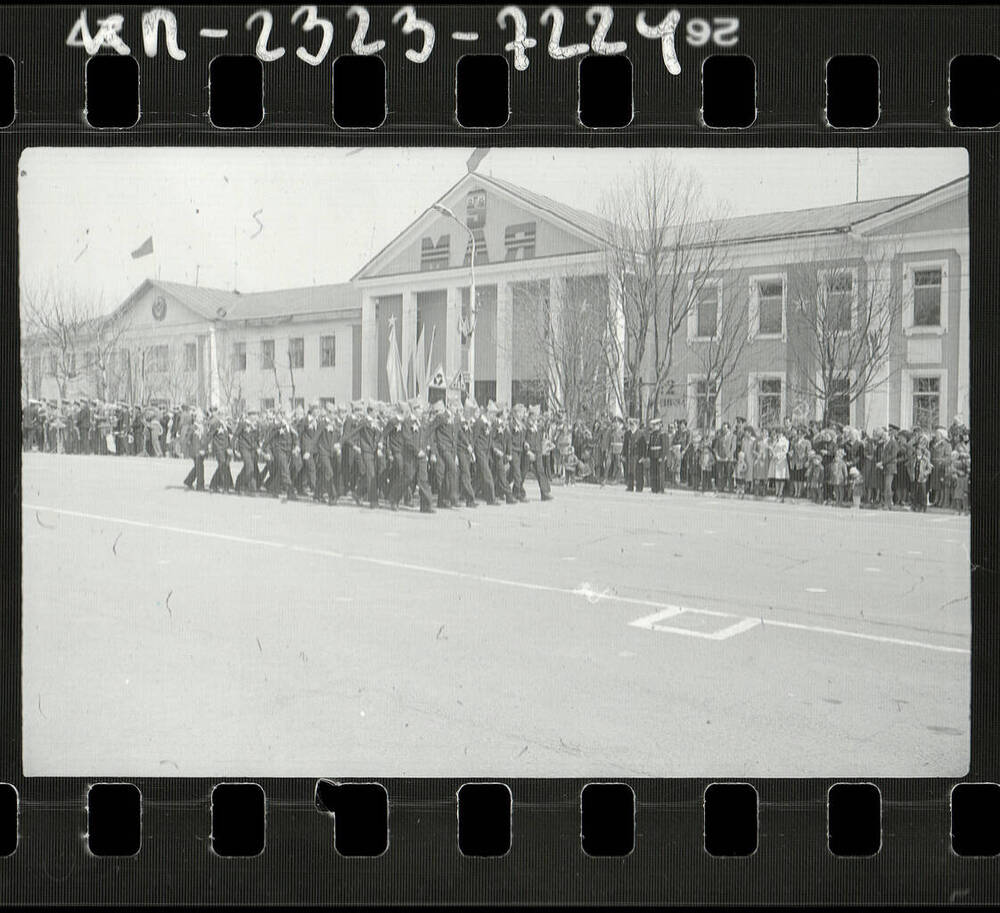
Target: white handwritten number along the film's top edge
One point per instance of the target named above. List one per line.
(721, 30)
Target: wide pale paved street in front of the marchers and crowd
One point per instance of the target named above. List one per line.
(169, 632)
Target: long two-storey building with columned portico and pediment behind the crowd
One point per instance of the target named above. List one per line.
(523, 252)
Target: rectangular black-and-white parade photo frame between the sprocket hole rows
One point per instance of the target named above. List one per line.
(495, 462)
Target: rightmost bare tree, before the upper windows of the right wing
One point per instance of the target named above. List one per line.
(842, 313)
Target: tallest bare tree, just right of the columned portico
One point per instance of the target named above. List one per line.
(664, 247)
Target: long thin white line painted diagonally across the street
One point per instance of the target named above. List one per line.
(664, 610)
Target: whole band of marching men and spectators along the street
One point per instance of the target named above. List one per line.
(452, 455)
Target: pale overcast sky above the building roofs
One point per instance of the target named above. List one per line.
(325, 212)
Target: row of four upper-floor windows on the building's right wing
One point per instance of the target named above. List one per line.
(768, 304)
